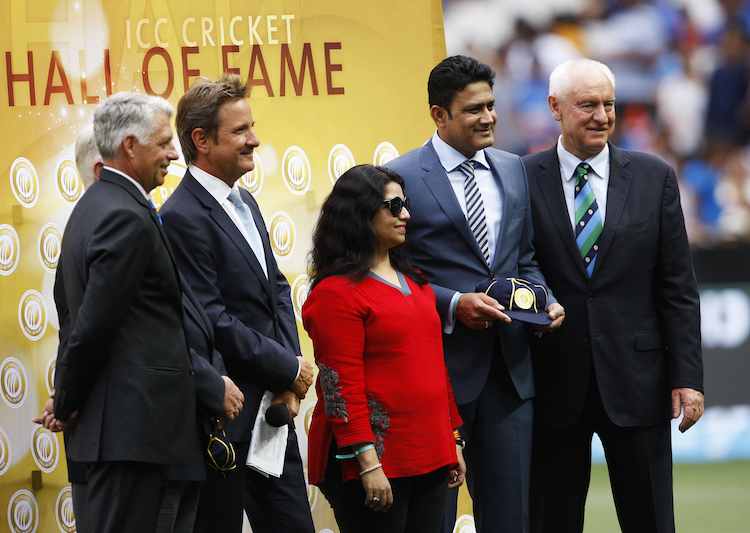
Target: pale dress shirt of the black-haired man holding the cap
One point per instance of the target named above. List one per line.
(450, 159)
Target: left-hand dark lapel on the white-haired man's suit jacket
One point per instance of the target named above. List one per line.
(550, 185)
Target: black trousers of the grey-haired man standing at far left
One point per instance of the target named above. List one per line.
(123, 497)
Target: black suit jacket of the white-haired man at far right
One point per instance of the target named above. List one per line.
(636, 322)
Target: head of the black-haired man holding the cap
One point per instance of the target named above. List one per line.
(462, 103)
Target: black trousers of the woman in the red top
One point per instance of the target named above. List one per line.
(418, 505)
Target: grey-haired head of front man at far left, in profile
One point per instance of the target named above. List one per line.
(133, 134)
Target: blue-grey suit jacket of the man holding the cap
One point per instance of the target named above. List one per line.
(442, 245)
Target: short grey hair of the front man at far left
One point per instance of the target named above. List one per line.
(124, 114)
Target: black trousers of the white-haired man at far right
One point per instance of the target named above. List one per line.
(639, 460)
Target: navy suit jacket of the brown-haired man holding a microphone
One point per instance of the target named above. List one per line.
(252, 316)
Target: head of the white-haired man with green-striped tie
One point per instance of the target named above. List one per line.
(582, 100)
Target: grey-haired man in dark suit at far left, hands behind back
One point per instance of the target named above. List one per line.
(125, 367)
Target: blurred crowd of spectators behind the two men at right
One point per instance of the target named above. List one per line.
(682, 72)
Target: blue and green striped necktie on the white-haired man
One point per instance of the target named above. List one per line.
(589, 222)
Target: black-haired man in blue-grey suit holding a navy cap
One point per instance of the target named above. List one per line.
(487, 355)
